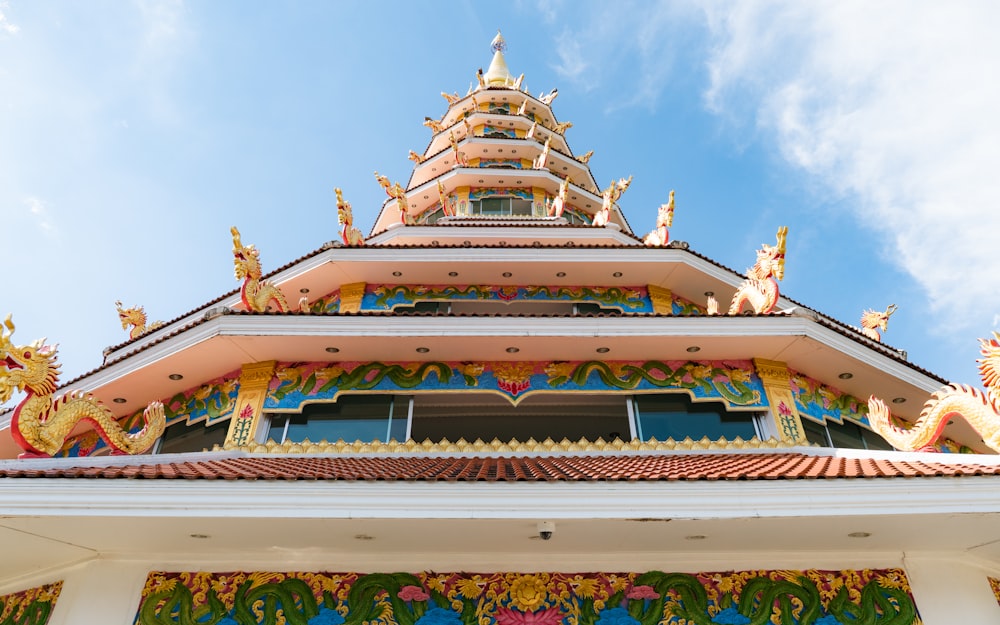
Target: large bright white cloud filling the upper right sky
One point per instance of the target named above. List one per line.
(893, 105)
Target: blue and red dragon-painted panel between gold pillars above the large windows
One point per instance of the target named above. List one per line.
(730, 381)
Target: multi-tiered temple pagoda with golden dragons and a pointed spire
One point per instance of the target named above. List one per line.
(505, 405)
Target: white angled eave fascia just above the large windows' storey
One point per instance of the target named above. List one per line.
(514, 327)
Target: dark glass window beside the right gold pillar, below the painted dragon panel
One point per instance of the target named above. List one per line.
(677, 417)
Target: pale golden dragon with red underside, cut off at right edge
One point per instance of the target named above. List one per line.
(980, 409)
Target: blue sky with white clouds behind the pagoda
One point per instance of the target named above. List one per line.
(134, 134)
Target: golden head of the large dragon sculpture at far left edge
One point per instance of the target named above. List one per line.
(31, 368)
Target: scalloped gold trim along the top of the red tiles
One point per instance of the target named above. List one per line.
(479, 446)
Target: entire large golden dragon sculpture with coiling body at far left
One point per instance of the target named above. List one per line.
(41, 424)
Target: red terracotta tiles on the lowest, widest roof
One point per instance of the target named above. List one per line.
(575, 468)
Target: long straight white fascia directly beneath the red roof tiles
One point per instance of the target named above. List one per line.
(281, 499)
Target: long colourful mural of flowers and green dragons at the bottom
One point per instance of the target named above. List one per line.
(812, 597)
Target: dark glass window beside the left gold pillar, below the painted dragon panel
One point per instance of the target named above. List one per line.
(350, 418)
